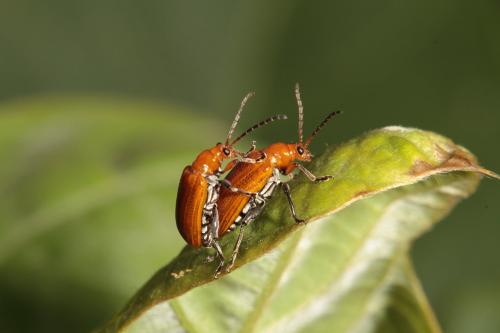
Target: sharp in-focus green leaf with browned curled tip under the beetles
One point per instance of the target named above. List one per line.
(346, 272)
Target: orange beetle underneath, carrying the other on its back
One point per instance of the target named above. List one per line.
(261, 179)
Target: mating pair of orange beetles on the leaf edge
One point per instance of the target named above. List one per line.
(208, 207)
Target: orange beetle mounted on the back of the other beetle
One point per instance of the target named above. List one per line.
(196, 204)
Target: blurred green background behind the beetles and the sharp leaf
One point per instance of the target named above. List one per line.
(103, 102)
